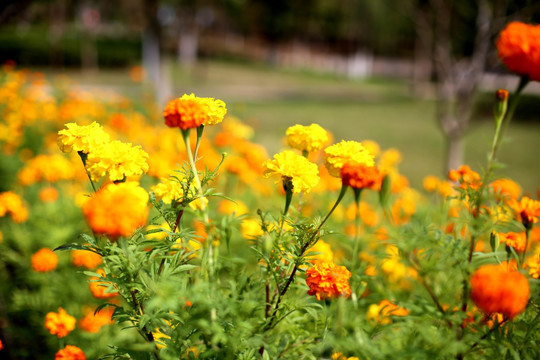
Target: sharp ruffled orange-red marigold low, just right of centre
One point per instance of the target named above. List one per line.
(326, 280)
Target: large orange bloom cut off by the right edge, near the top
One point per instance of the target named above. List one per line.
(519, 49)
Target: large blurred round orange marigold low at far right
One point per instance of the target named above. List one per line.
(500, 289)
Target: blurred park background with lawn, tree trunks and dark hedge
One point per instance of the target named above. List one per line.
(415, 75)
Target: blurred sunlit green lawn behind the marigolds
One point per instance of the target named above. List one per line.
(271, 100)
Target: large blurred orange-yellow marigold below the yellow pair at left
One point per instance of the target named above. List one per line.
(117, 209)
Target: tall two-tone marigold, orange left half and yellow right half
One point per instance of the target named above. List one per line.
(191, 111)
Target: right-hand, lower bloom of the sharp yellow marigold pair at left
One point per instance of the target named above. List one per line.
(119, 159)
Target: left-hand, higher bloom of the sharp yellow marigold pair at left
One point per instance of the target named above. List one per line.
(81, 138)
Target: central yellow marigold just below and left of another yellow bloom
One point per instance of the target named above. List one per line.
(303, 174)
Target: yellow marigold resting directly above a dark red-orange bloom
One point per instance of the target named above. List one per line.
(339, 154)
